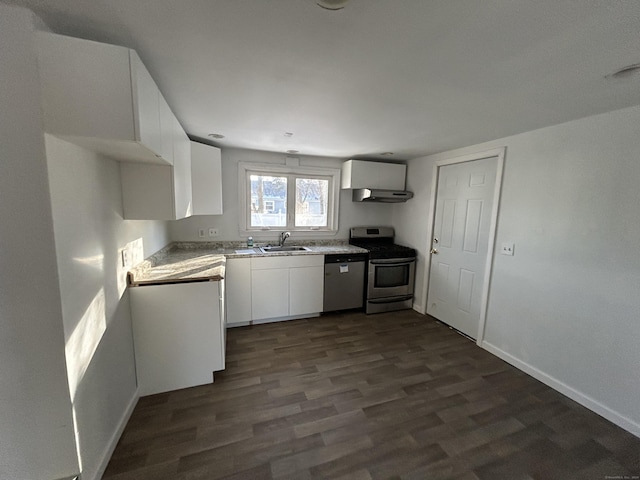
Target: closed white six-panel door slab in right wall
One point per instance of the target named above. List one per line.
(460, 243)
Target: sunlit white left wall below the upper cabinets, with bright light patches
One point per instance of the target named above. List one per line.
(90, 233)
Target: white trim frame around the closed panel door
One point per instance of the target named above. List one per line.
(500, 154)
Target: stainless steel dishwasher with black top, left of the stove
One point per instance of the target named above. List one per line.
(344, 277)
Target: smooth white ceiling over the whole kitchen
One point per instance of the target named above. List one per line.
(412, 77)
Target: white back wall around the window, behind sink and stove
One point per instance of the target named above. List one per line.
(351, 214)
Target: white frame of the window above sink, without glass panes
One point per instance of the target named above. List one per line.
(245, 169)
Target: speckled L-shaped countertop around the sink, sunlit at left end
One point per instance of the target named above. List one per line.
(201, 261)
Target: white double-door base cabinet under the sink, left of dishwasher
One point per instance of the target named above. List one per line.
(286, 286)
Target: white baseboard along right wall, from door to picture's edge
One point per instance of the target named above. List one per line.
(573, 394)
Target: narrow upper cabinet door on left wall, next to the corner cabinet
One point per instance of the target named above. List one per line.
(181, 172)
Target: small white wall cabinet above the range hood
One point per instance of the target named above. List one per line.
(364, 174)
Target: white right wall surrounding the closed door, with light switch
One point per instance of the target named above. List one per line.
(566, 307)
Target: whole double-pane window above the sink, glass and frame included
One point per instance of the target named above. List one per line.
(277, 197)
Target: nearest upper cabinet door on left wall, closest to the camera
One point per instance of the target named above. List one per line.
(146, 101)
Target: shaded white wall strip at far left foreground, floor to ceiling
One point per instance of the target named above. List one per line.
(36, 425)
